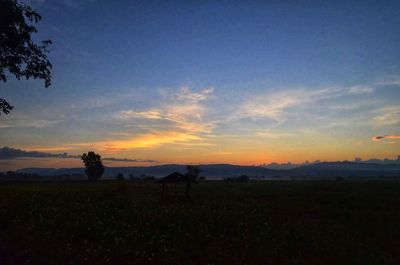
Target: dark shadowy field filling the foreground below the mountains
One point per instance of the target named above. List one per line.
(221, 223)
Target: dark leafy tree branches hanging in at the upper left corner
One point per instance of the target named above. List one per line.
(19, 55)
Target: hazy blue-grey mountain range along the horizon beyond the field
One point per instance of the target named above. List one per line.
(316, 170)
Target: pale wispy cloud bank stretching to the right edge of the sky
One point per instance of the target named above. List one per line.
(323, 108)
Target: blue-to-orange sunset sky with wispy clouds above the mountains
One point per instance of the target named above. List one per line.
(195, 82)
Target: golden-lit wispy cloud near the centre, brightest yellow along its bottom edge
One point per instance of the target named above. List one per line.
(181, 114)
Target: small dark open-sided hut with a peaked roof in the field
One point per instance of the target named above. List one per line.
(175, 184)
